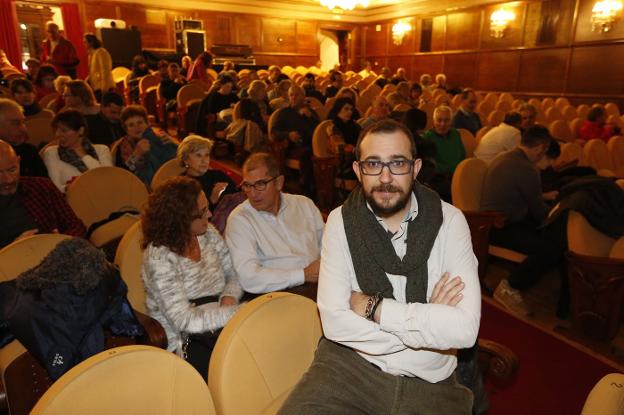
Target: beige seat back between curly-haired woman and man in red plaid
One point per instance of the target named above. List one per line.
(97, 193)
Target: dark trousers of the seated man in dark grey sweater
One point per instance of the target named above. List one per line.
(545, 248)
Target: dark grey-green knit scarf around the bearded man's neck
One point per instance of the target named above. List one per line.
(373, 254)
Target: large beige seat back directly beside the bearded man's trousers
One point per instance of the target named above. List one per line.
(263, 352)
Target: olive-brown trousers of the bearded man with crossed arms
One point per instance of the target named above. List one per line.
(342, 382)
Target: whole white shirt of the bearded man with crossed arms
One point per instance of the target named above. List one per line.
(411, 339)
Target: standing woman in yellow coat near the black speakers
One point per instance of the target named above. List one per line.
(100, 66)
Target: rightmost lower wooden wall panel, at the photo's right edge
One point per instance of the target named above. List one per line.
(597, 70)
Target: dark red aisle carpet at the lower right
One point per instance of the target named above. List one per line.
(553, 377)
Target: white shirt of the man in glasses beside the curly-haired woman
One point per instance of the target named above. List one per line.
(270, 251)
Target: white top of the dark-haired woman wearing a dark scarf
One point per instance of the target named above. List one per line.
(60, 172)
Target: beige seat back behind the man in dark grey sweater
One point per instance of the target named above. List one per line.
(467, 184)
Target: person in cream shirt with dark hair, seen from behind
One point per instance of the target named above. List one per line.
(503, 137)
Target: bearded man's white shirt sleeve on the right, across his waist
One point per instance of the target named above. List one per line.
(437, 326)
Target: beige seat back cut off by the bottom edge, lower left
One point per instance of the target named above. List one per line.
(138, 380)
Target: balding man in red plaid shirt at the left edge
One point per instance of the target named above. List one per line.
(30, 205)
